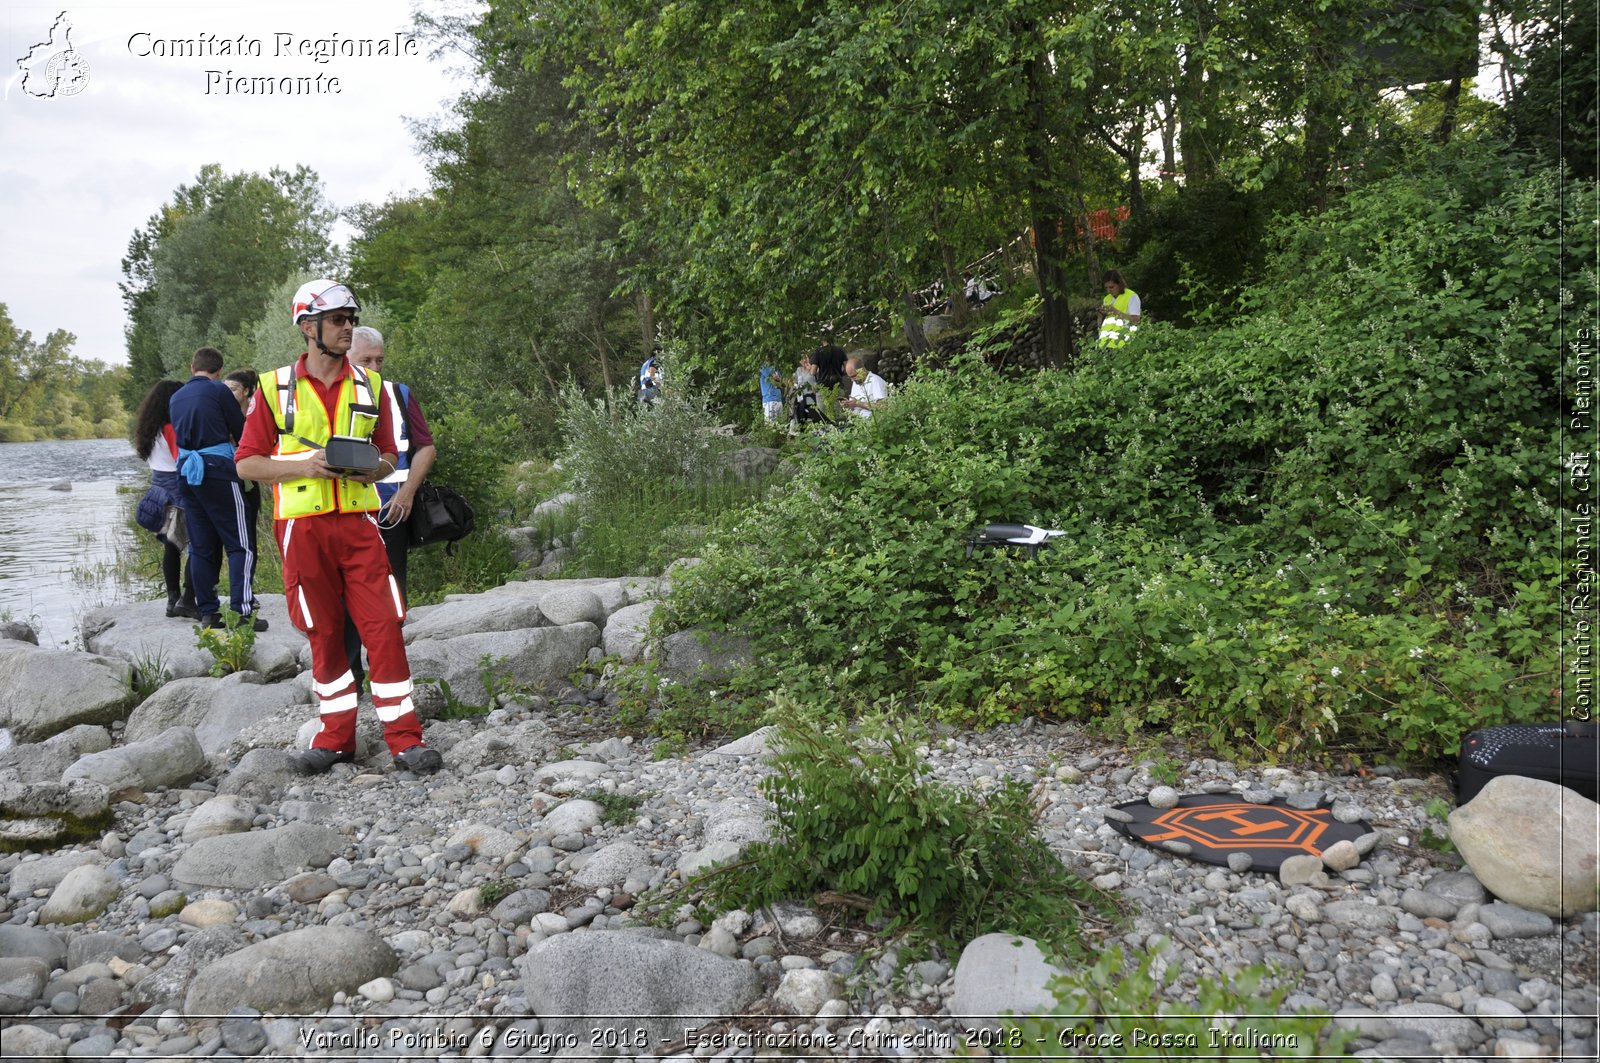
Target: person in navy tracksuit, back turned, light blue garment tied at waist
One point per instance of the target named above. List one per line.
(207, 422)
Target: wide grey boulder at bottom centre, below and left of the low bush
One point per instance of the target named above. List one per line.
(670, 987)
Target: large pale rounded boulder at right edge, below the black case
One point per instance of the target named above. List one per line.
(1534, 844)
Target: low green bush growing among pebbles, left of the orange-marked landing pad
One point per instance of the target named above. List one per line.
(858, 814)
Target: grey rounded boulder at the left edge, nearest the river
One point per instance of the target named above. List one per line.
(46, 692)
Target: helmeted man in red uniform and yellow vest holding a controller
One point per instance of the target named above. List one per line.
(324, 519)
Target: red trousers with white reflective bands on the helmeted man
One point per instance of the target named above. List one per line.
(335, 564)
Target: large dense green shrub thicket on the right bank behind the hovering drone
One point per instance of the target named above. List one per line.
(1332, 521)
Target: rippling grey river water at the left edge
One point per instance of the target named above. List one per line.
(60, 548)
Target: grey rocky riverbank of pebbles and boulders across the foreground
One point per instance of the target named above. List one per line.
(511, 905)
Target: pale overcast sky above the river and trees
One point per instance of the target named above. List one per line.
(79, 174)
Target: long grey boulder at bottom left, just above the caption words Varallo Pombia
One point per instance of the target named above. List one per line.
(295, 973)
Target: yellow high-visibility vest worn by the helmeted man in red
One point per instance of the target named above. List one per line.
(303, 430)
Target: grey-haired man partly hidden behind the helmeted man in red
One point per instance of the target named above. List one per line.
(398, 492)
